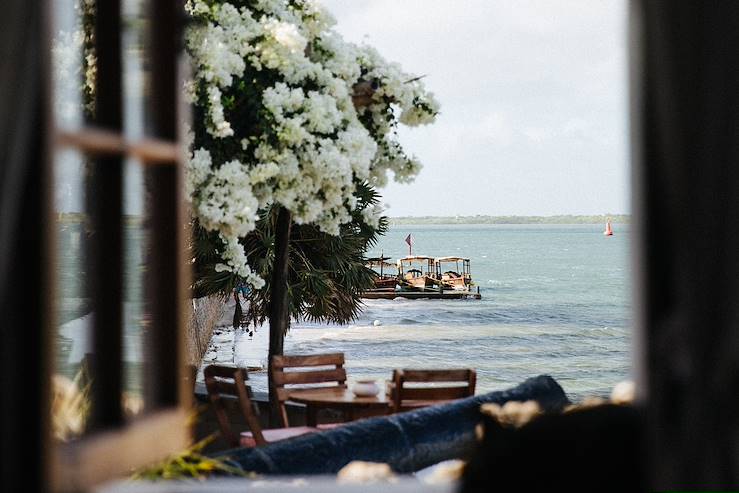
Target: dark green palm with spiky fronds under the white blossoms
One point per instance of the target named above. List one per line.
(312, 276)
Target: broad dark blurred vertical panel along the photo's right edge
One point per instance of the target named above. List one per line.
(685, 119)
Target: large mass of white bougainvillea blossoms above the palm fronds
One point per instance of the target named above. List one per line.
(307, 144)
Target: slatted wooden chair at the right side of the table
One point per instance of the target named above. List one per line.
(404, 398)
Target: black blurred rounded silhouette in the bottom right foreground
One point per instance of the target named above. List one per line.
(593, 449)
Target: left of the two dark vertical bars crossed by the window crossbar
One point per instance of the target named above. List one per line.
(105, 208)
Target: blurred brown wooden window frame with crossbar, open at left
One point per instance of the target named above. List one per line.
(113, 447)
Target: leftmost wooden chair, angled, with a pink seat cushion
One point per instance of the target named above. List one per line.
(225, 382)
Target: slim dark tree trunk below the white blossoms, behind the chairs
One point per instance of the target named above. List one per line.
(279, 318)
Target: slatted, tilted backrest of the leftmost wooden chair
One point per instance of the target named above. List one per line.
(226, 381)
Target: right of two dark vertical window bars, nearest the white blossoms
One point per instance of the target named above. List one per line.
(166, 275)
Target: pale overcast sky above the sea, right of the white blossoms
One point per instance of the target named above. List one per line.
(533, 100)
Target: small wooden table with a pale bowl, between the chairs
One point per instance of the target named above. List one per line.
(339, 398)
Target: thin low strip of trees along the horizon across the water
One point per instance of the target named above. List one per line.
(562, 219)
